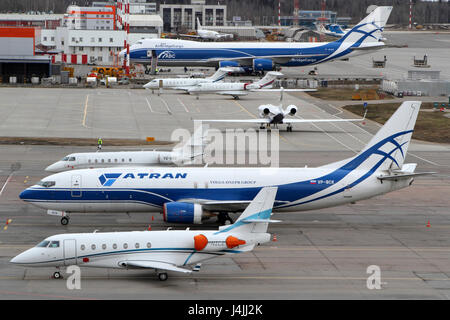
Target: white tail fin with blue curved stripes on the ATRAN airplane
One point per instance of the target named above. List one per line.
(388, 147)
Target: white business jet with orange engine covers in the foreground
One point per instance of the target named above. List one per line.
(159, 250)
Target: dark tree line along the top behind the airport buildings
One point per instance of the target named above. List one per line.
(266, 11)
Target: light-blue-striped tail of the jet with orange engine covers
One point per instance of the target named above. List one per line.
(256, 217)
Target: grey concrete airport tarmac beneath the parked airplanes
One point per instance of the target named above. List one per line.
(322, 254)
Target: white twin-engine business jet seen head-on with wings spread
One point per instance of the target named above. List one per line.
(271, 115)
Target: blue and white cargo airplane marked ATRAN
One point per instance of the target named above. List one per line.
(190, 194)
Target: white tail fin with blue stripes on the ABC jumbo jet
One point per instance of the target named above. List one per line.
(370, 29)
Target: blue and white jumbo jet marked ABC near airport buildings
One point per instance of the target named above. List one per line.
(364, 38)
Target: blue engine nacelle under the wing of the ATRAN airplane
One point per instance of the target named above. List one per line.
(182, 212)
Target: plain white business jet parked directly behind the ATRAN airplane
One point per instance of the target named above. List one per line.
(181, 154)
